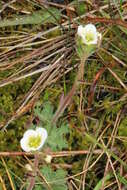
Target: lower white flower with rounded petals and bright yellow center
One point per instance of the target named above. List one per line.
(33, 139)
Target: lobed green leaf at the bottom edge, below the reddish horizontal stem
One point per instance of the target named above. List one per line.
(56, 179)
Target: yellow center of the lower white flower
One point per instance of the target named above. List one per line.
(34, 142)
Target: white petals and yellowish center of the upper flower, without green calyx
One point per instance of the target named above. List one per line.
(89, 34)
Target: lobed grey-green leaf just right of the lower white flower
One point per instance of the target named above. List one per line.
(56, 135)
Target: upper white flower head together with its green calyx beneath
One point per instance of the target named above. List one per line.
(88, 39)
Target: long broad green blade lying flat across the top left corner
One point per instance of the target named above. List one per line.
(38, 17)
